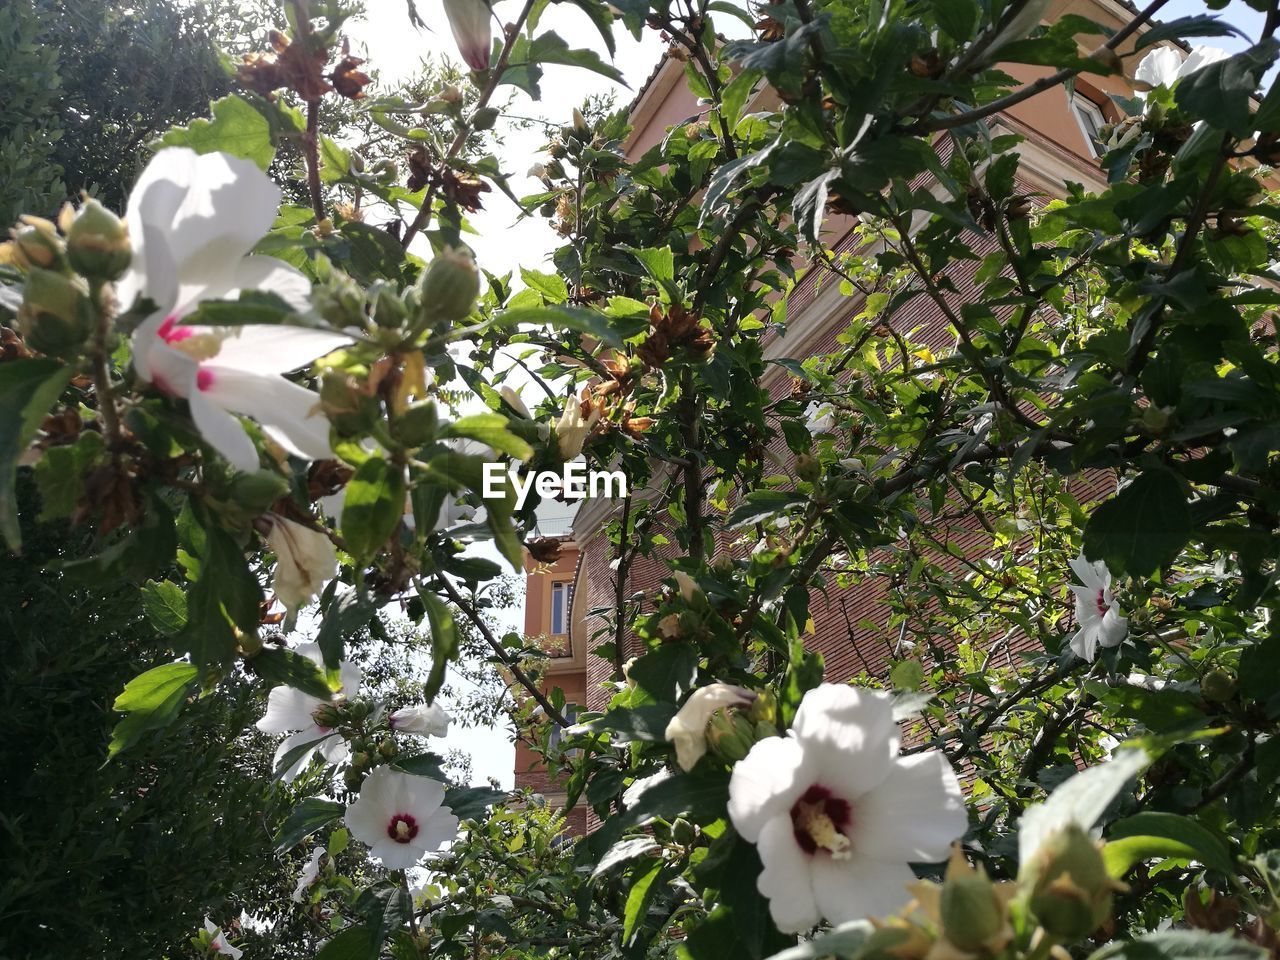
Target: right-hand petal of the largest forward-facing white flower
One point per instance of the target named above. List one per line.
(915, 815)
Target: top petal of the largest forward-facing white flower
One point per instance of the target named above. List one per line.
(851, 735)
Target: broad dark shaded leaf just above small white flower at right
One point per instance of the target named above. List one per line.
(1142, 528)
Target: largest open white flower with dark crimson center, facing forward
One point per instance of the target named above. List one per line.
(838, 813)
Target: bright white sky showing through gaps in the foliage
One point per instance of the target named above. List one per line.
(395, 49)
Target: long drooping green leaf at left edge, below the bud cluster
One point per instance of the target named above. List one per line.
(29, 388)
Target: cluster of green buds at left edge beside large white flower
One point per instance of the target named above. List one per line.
(61, 263)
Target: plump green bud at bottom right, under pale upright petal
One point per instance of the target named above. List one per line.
(1072, 889)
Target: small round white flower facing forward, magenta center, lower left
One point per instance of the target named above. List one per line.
(401, 817)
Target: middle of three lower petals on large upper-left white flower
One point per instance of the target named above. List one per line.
(287, 413)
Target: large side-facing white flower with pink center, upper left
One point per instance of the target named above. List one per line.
(194, 220)
